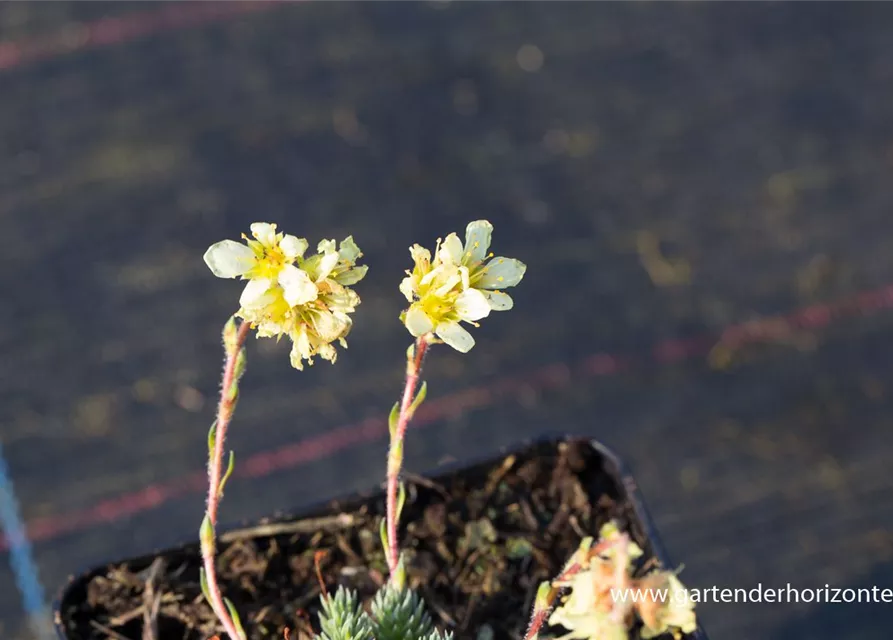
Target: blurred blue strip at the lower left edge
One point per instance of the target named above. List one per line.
(21, 557)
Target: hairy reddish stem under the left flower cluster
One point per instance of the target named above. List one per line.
(225, 410)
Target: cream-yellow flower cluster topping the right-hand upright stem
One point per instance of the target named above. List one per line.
(461, 283)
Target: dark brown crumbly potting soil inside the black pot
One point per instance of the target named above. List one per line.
(478, 543)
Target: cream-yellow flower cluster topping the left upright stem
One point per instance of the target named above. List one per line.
(307, 299)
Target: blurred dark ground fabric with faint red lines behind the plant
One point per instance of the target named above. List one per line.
(668, 169)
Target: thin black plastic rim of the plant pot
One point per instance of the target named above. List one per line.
(625, 488)
